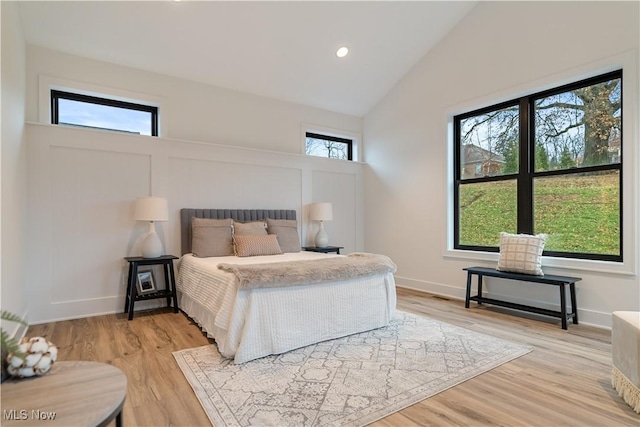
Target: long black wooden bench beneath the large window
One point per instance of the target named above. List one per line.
(560, 281)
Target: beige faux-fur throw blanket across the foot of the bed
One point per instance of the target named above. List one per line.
(293, 273)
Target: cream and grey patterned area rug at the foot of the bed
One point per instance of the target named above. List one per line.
(350, 381)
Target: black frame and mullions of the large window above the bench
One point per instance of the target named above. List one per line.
(526, 170)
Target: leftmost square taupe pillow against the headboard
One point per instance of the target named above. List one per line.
(211, 237)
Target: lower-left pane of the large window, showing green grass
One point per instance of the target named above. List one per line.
(486, 209)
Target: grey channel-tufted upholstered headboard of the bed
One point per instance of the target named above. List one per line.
(242, 215)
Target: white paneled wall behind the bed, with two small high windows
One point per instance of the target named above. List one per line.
(83, 183)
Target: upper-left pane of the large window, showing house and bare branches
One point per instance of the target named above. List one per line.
(489, 143)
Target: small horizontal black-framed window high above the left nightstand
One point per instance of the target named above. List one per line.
(74, 109)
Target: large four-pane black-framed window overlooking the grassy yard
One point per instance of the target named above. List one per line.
(546, 163)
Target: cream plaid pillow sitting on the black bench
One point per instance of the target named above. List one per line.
(521, 253)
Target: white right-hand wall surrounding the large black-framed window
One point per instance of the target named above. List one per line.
(499, 51)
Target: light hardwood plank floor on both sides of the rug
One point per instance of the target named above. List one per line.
(564, 381)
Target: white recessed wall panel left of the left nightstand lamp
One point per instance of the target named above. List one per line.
(91, 216)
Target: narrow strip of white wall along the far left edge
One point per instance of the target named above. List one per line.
(14, 175)
